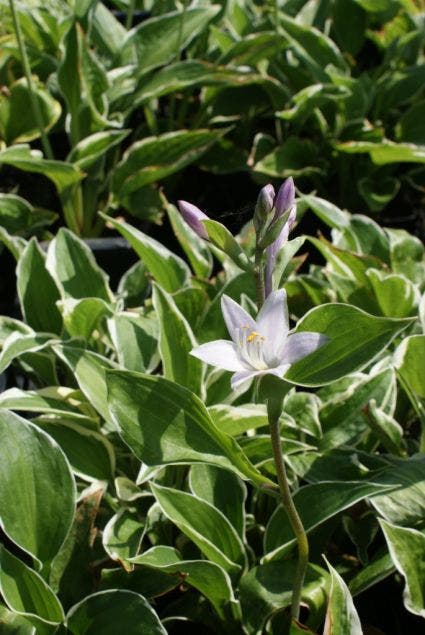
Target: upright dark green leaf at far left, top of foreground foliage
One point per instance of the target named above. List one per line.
(39, 310)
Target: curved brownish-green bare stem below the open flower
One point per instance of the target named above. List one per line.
(292, 513)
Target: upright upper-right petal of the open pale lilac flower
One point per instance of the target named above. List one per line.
(272, 324)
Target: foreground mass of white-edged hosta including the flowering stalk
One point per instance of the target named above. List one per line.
(141, 486)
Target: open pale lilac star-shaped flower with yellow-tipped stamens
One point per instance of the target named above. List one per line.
(259, 346)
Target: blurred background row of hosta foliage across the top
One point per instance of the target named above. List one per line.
(253, 90)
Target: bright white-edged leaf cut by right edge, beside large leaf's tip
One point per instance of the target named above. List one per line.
(409, 360)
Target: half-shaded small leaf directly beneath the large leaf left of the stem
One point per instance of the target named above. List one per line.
(223, 490)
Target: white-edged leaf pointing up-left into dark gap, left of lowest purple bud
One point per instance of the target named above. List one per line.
(170, 271)
